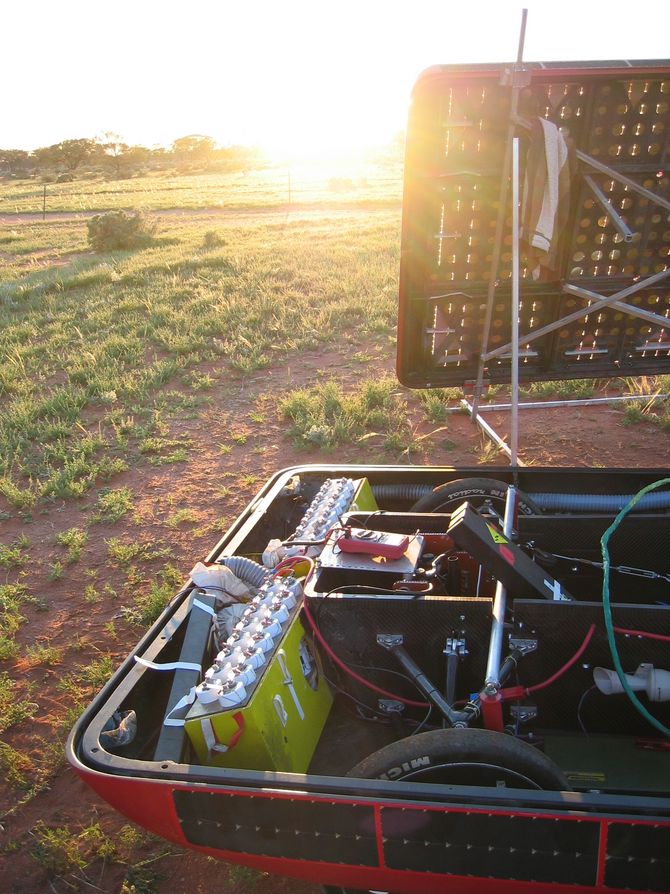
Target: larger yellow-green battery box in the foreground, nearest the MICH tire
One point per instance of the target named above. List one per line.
(278, 726)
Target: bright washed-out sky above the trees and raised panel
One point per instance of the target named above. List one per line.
(280, 74)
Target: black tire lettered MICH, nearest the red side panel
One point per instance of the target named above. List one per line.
(455, 746)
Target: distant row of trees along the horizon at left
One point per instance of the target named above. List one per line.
(110, 154)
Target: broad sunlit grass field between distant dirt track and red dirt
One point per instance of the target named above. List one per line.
(107, 338)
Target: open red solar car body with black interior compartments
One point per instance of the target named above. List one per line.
(424, 823)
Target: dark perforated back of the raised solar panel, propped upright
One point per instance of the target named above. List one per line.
(619, 114)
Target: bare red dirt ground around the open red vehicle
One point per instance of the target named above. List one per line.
(585, 436)
